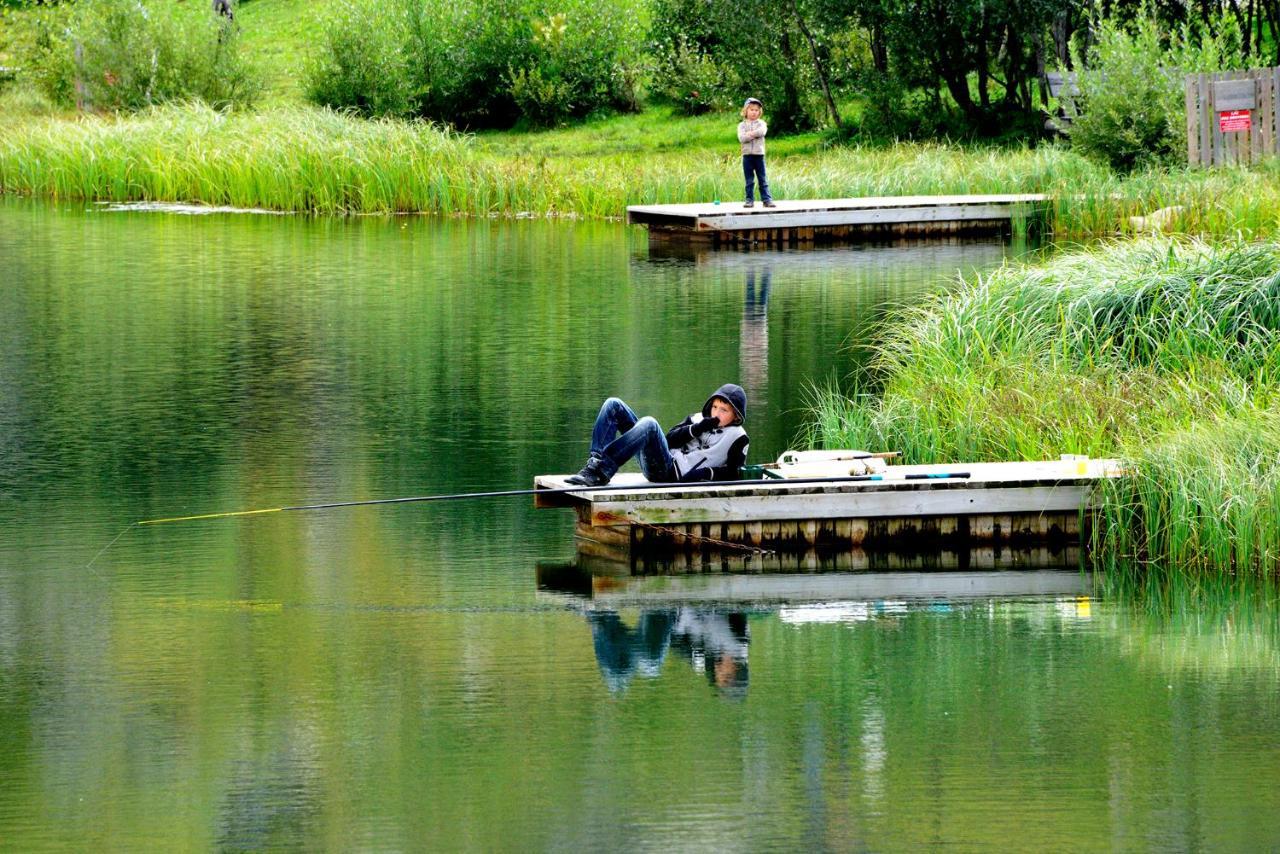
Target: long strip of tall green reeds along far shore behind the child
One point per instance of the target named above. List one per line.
(309, 159)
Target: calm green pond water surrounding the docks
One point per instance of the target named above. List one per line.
(423, 677)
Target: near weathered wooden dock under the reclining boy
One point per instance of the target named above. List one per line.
(995, 503)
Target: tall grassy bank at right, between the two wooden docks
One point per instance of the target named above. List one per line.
(1163, 353)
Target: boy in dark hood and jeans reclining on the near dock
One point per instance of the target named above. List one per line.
(706, 446)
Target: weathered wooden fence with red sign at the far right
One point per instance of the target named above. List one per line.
(1232, 117)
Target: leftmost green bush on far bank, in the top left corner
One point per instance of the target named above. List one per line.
(130, 54)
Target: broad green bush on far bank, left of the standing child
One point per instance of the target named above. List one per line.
(481, 65)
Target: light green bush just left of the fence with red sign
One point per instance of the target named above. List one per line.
(1132, 108)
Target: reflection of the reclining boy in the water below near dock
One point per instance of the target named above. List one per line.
(712, 642)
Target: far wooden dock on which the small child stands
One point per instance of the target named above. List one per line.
(816, 221)
